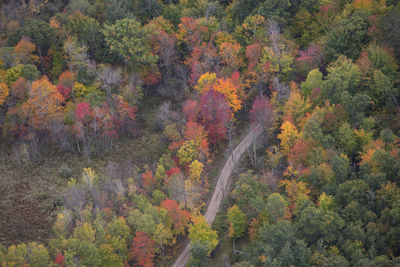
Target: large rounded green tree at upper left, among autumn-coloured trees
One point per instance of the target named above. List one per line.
(130, 40)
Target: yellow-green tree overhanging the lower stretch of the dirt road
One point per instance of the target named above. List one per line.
(199, 230)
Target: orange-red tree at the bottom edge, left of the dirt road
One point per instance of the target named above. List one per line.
(142, 249)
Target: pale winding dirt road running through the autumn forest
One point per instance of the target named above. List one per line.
(221, 187)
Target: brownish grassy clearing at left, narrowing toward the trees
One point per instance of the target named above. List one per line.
(34, 192)
